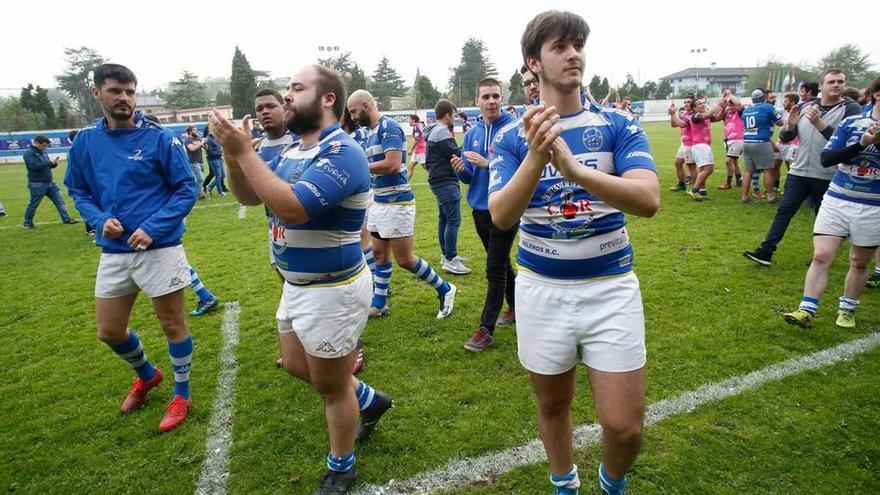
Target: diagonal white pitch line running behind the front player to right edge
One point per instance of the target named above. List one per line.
(462, 472)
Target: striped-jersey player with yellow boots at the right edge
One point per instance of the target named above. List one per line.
(850, 209)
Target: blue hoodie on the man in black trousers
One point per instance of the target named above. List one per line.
(479, 138)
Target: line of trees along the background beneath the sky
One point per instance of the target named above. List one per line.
(74, 106)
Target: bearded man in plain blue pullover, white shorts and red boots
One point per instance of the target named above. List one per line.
(130, 178)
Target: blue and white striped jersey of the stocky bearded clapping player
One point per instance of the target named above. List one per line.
(332, 181)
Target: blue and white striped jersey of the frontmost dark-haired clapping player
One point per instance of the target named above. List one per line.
(566, 232)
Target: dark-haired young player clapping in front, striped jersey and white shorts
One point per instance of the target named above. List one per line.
(571, 172)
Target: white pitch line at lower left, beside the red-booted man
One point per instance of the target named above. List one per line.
(215, 469)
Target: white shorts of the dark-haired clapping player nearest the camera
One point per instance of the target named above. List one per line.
(601, 319)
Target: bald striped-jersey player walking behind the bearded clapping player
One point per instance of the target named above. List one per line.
(392, 215)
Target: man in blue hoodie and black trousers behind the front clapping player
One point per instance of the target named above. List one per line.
(473, 169)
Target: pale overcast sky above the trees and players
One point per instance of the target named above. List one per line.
(159, 39)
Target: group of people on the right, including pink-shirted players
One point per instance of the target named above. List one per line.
(828, 143)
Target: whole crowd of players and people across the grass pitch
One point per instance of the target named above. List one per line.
(334, 177)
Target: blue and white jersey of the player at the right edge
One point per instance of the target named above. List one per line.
(859, 179)
